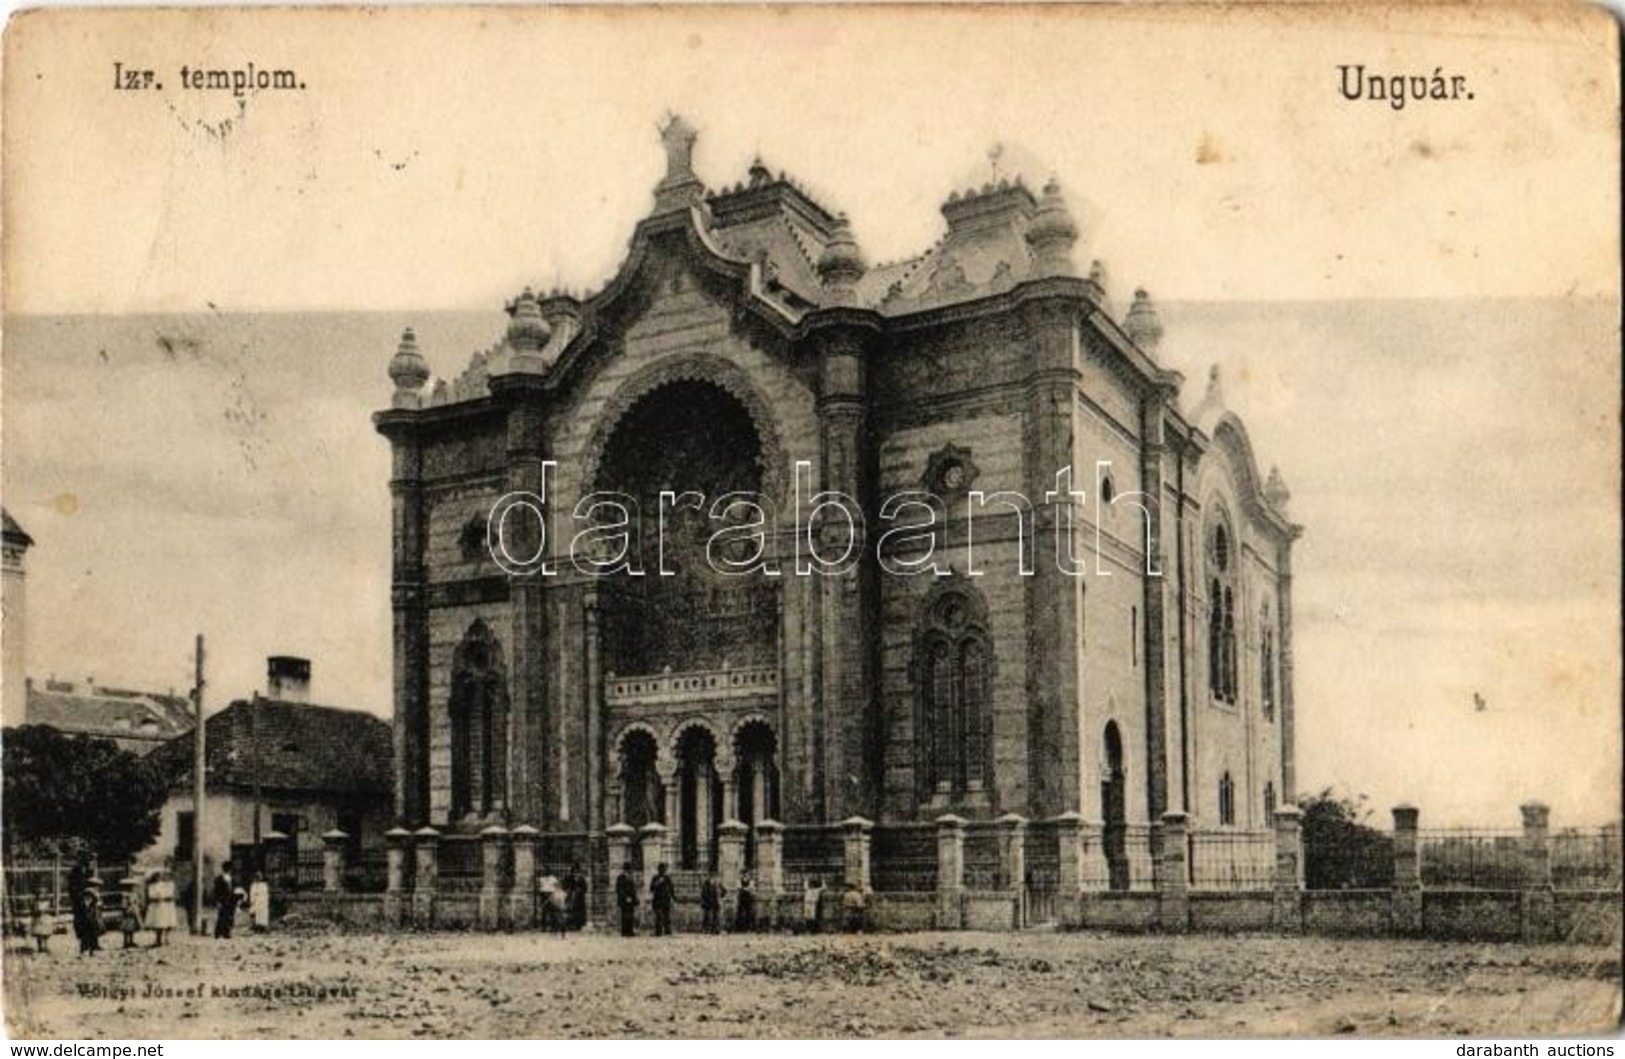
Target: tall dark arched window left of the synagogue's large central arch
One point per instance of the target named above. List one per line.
(479, 715)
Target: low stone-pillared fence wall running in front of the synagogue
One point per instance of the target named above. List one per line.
(1002, 876)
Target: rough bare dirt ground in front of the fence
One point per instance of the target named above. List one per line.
(326, 985)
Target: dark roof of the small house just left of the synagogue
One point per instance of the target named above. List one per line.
(293, 746)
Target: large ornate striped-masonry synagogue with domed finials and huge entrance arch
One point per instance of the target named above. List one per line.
(1085, 607)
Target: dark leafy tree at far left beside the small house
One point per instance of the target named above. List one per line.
(67, 793)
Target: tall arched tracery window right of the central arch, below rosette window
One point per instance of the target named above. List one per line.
(955, 715)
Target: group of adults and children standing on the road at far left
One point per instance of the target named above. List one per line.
(144, 906)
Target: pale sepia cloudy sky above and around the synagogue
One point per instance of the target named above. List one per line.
(1416, 311)
